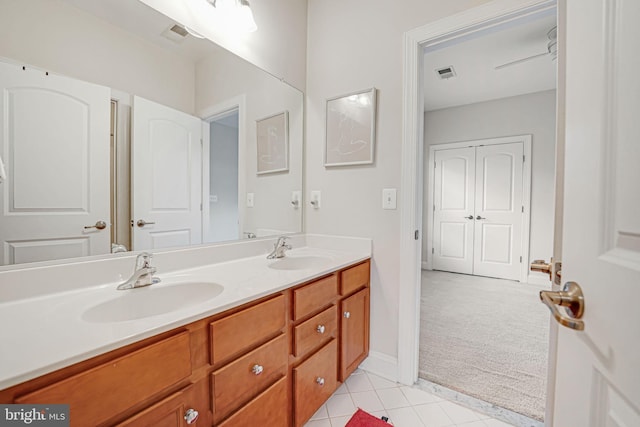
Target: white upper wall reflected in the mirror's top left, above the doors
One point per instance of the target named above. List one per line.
(60, 38)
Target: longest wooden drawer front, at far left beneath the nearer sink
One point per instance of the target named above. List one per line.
(101, 393)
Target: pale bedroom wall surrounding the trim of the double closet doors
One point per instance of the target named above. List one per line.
(533, 114)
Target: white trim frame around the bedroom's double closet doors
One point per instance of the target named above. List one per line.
(526, 192)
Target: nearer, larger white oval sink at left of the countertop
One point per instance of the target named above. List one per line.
(150, 301)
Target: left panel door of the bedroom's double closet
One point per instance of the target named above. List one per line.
(453, 219)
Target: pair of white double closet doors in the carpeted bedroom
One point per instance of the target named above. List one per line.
(479, 208)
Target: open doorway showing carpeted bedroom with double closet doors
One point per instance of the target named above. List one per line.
(488, 338)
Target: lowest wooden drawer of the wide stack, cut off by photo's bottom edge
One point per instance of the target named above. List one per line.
(267, 410)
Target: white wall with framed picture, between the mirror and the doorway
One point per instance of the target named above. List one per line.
(355, 45)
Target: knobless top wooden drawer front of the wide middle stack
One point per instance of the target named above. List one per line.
(242, 330)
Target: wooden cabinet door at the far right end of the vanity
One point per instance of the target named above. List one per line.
(354, 338)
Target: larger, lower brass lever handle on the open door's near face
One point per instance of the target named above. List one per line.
(572, 299)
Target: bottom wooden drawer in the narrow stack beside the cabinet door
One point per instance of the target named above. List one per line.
(314, 382)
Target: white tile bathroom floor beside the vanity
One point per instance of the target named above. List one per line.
(405, 406)
